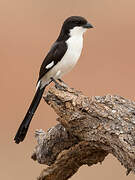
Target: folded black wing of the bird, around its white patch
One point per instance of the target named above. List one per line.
(55, 54)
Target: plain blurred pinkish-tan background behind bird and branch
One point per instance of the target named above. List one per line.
(27, 30)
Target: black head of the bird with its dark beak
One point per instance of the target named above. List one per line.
(71, 23)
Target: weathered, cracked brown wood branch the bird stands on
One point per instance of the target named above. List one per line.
(89, 129)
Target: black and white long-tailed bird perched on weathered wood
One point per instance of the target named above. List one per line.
(61, 58)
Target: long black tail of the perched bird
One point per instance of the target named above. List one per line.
(22, 131)
